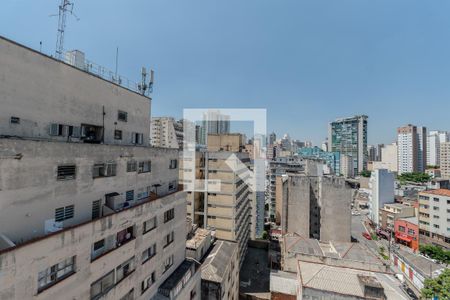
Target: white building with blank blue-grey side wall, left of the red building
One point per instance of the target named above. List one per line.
(381, 185)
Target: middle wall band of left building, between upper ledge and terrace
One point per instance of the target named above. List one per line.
(30, 191)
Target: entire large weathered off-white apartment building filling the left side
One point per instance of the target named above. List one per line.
(87, 209)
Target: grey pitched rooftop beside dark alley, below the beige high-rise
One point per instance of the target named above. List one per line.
(218, 260)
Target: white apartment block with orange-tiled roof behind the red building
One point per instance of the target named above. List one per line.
(434, 217)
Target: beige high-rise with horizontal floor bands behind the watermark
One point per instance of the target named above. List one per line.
(225, 207)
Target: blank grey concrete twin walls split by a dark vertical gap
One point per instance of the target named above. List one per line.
(326, 201)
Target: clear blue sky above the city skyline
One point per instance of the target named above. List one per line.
(306, 62)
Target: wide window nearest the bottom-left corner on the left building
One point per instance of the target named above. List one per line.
(55, 273)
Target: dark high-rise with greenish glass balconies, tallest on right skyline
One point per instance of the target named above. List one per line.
(349, 137)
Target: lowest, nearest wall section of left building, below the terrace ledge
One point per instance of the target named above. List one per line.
(20, 267)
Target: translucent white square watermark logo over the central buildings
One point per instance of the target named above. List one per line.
(203, 158)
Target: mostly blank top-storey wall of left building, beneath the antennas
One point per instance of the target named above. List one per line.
(40, 90)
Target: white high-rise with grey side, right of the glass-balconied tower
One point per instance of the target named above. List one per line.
(412, 154)
